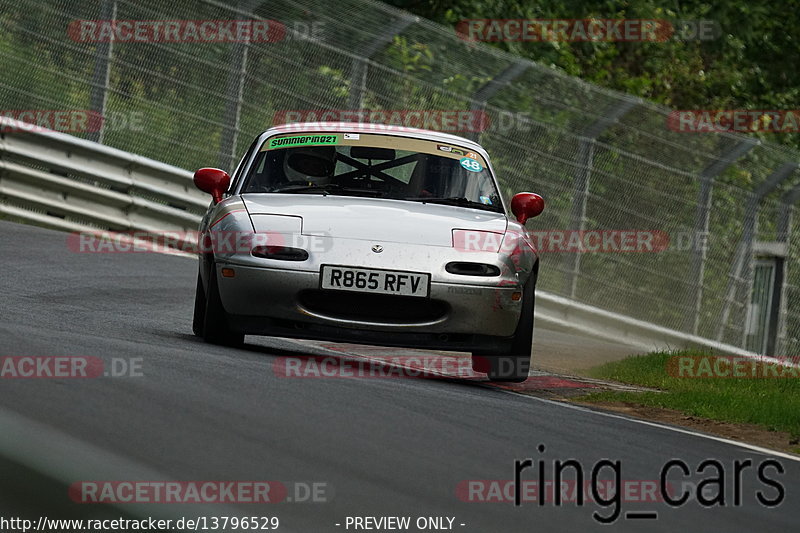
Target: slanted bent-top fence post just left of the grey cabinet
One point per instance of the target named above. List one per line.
(743, 254)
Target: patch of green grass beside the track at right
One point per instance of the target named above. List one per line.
(773, 403)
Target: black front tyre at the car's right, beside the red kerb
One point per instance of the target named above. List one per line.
(514, 365)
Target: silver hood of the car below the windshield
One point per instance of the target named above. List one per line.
(370, 218)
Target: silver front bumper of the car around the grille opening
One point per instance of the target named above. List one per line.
(264, 300)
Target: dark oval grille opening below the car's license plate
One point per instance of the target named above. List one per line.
(367, 307)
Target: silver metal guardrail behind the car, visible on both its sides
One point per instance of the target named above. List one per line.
(62, 182)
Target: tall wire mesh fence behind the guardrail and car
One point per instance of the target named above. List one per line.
(171, 88)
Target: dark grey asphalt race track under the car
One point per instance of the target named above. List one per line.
(379, 447)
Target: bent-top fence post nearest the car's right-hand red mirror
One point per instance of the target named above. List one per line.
(580, 189)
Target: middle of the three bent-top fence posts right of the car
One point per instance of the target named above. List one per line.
(702, 219)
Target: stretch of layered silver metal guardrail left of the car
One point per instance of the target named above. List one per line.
(63, 182)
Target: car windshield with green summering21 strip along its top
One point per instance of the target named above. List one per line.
(377, 166)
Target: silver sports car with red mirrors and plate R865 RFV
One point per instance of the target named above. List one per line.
(357, 233)
